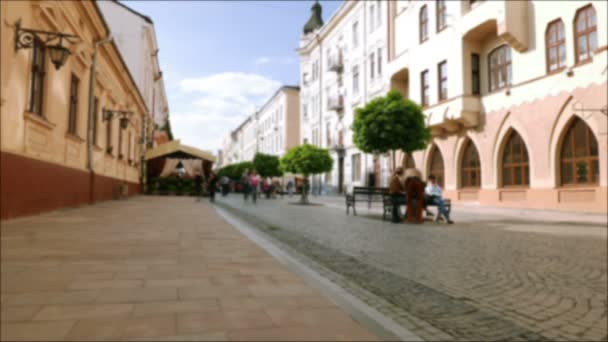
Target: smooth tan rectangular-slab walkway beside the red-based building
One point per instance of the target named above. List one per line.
(151, 269)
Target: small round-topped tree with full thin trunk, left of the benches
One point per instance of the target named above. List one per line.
(306, 160)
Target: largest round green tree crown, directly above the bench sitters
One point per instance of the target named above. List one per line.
(390, 123)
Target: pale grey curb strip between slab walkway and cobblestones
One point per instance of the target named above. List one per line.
(376, 322)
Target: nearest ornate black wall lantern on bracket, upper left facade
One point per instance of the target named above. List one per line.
(26, 38)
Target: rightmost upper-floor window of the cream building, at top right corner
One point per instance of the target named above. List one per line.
(585, 33)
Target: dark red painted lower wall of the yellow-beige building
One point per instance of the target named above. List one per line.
(29, 186)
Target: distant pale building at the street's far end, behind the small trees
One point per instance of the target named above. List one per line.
(273, 129)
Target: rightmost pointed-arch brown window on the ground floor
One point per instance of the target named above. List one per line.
(579, 155)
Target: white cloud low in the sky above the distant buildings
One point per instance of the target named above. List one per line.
(214, 105)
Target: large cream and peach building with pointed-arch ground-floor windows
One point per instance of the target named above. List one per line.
(516, 95)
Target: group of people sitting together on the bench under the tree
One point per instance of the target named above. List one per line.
(407, 189)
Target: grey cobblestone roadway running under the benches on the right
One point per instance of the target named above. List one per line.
(484, 278)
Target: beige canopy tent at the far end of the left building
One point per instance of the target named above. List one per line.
(163, 161)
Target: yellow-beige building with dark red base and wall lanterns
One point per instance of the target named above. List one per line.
(52, 154)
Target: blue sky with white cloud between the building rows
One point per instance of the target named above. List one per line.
(222, 59)
